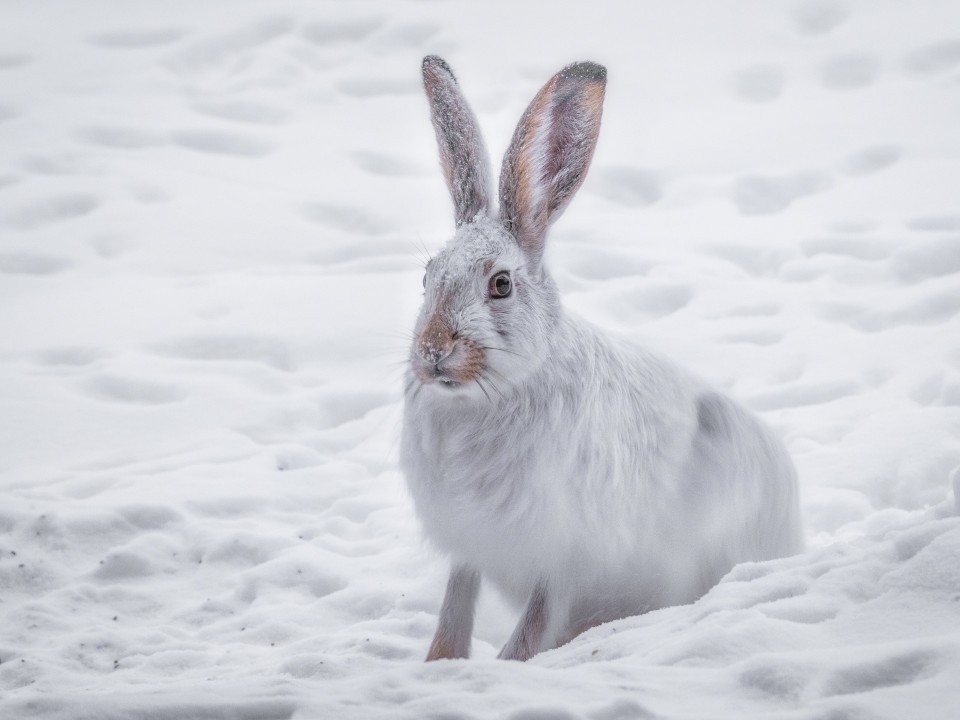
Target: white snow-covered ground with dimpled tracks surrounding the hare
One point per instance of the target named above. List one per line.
(211, 216)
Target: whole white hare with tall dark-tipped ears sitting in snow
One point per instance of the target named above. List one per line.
(586, 478)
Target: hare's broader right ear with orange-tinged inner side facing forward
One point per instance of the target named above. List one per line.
(550, 152)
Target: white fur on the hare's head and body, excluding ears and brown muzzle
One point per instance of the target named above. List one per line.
(600, 473)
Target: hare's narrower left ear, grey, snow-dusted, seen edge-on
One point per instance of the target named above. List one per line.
(462, 152)
